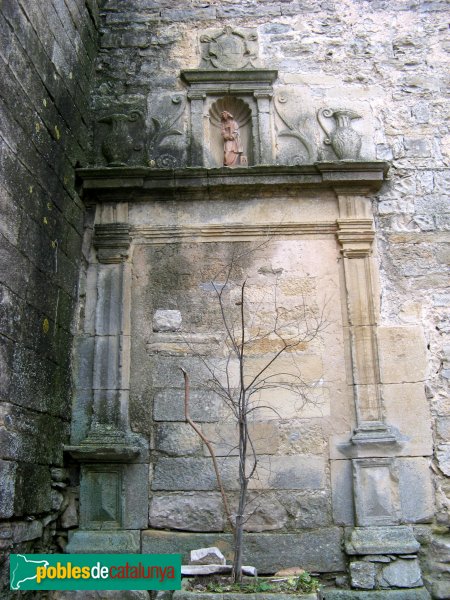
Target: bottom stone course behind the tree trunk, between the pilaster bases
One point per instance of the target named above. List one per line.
(317, 551)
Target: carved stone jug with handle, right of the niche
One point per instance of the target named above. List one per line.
(344, 140)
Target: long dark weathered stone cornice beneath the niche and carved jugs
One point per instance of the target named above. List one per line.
(133, 184)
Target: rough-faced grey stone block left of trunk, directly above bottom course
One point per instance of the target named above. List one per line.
(188, 511)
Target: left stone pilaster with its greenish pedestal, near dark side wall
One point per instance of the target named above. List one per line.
(114, 482)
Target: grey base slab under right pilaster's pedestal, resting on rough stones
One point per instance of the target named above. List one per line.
(397, 539)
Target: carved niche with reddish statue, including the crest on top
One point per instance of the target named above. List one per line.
(228, 80)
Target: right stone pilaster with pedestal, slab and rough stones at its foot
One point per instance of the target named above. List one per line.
(382, 551)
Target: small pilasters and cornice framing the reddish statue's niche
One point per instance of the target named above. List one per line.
(254, 87)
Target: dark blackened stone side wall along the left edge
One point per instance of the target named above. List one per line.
(46, 56)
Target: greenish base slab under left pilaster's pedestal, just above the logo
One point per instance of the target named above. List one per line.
(85, 541)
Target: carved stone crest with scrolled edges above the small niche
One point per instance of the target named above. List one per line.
(229, 48)
